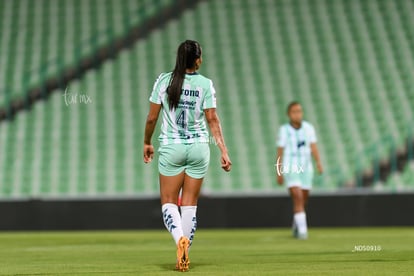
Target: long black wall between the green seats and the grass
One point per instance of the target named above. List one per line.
(344, 210)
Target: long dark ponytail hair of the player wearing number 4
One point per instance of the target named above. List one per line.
(187, 53)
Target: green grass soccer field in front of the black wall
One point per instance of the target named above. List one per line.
(328, 251)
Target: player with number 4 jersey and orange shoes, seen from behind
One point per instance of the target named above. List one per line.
(187, 99)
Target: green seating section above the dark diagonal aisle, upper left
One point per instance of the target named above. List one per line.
(41, 37)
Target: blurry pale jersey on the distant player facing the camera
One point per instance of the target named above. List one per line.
(296, 147)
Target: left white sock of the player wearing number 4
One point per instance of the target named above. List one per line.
(172, 220)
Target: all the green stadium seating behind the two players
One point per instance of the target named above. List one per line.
(348, 62)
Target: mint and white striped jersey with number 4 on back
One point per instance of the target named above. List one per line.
(185, 124)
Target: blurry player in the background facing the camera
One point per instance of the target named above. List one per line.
(296, 143)
